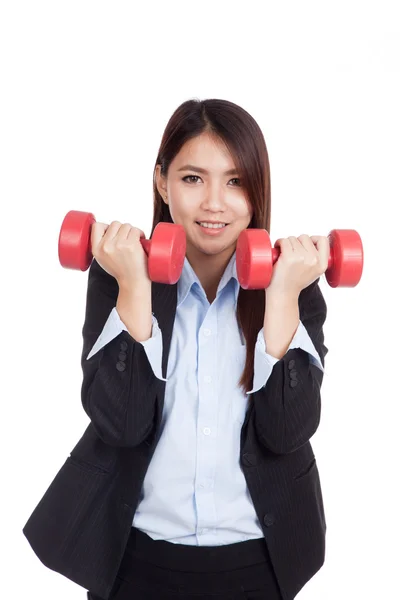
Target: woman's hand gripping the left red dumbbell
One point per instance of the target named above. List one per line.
(118, 250)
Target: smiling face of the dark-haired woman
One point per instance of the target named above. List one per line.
(203, 189)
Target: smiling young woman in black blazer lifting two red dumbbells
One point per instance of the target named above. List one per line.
(196, 477)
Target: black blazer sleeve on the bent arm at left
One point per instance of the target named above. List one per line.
(119, 387)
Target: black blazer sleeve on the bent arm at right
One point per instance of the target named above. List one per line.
(287, 409)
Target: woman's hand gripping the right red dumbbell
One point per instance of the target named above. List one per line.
(301, 261)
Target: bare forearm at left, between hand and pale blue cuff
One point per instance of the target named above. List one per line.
(134, 309)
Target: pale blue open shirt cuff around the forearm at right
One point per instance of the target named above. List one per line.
(264, 362)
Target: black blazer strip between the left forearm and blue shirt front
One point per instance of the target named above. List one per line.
(164, 300)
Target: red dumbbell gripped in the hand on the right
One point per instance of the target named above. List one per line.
(255, 258)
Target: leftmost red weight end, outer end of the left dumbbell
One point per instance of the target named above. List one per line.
(74, 248)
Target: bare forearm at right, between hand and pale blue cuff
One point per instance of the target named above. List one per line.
(281, 320)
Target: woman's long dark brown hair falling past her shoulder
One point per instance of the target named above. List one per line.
(245, 141)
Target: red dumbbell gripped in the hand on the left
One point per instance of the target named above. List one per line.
(166, 250)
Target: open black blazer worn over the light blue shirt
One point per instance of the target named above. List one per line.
(81, 525)
